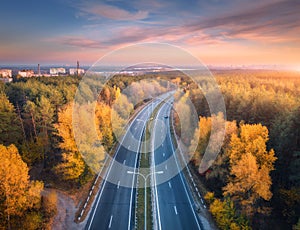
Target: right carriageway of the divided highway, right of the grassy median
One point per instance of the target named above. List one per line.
(174, 204)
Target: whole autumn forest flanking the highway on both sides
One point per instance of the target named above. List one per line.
(254, 183)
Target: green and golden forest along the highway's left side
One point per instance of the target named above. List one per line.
(37, 142)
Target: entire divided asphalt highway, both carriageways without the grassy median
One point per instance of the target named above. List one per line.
(114, 206)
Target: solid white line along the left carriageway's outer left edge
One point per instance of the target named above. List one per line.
(107, 174)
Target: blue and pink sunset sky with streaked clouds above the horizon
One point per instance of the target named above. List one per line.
(217, 32)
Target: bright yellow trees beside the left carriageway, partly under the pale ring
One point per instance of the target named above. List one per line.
(83, 154)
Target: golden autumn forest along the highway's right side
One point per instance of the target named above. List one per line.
(254, 183)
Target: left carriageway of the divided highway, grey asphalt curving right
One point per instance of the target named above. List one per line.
(114, 206)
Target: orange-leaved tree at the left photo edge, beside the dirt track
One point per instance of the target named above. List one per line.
(17, 192)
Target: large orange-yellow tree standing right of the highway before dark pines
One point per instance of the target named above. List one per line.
(250, 166)
